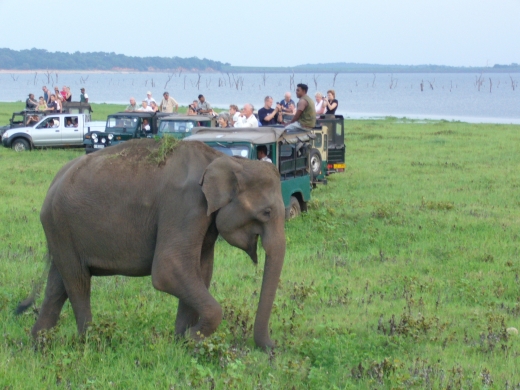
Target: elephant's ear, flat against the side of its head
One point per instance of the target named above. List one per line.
(221, 182)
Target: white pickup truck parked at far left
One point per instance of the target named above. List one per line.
(52, 130)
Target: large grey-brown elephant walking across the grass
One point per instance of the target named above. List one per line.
(119, 212)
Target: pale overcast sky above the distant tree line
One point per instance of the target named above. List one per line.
(274, 33)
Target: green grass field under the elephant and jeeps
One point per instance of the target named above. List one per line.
(404, 273)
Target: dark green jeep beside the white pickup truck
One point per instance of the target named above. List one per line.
(121, 127)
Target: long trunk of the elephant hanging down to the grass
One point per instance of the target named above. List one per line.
(274, 246)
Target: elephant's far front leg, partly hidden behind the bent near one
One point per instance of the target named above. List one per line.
(187, 317)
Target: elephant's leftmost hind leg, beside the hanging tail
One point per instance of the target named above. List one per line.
(55, 297)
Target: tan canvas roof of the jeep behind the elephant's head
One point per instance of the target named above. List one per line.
(259, 135)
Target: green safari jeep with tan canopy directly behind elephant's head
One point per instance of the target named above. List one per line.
(288, 150)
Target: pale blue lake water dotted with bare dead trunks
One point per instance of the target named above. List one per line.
(443, 96)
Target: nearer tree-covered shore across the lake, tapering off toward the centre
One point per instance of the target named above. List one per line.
(42, 59)
